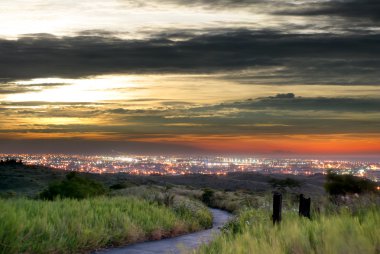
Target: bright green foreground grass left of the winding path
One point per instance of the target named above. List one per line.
(69, 226)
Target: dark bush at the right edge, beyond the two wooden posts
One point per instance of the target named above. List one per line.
(347, 184)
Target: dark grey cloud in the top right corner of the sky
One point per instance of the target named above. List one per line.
(363, 9)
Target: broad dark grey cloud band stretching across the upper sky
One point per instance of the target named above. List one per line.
(320, 55)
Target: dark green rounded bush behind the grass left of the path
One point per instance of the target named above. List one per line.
(74, 186)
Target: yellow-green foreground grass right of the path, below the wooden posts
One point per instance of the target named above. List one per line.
(341, 232)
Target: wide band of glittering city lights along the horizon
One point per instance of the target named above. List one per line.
(172, 165)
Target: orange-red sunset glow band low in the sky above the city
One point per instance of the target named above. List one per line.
(292, 144)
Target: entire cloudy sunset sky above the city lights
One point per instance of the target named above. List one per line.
(249, 77)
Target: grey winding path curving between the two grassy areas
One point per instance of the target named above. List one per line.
(177, 244)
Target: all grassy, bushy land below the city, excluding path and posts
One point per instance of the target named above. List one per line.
(139, 208)
